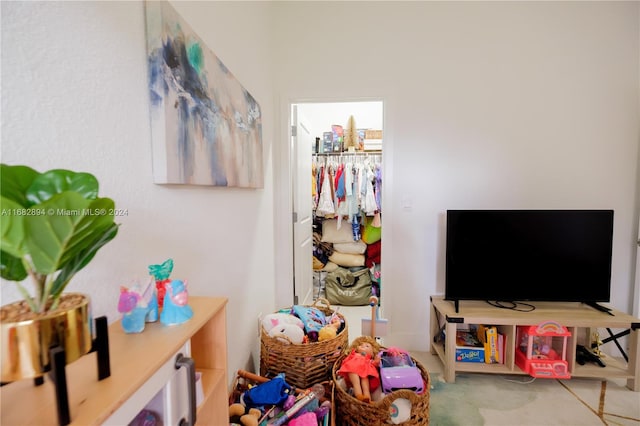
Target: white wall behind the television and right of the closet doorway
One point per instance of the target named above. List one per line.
(487, 105)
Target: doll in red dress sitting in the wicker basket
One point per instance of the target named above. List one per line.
(360, 370)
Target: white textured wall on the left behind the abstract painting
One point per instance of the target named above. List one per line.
(74, 95)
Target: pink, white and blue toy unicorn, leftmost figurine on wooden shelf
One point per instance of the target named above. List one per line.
(138, 305)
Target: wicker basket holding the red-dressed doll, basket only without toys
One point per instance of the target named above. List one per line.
(352, 412)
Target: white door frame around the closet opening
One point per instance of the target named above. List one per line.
(283, 191)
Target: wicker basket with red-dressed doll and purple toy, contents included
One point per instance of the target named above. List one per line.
(377, 401)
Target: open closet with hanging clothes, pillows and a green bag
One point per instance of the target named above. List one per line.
(346, 196)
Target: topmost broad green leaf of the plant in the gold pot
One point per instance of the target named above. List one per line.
(54, 182)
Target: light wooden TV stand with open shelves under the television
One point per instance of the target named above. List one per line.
(580, 319)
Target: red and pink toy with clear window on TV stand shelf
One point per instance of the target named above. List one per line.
(542, 350)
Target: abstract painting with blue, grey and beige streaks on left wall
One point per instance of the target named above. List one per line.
(206, 129)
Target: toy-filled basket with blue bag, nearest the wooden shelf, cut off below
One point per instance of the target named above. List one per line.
(257, 400)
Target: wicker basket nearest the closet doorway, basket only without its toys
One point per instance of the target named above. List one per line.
(304, 364)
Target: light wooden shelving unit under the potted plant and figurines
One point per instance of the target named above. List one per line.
(140, 366)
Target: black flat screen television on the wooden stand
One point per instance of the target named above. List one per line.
(529, 255)
